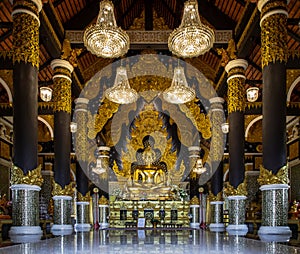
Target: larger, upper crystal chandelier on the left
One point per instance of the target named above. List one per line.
(105, 39)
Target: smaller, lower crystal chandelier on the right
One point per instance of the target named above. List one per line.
(179, 92)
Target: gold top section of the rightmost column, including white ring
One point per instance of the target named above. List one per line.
(273, 25)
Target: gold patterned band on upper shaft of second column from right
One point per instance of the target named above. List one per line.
(236, 96)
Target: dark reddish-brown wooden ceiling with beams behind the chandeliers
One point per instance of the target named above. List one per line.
(239, 16)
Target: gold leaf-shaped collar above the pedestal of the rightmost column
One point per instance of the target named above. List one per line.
(267, 177)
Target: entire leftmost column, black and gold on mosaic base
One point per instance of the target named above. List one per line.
(26, 178)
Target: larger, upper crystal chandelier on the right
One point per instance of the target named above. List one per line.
(191, 38)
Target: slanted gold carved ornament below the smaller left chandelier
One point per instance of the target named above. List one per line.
(96, 122)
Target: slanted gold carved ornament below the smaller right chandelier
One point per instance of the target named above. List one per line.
(200, 120)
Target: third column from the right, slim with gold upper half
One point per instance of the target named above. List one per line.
(217, 151)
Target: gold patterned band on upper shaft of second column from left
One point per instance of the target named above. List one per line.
(62, 95)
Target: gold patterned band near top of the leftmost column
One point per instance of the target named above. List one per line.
(26, 39)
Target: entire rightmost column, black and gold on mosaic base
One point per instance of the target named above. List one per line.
(274, 173)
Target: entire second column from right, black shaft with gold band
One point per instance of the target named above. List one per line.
(236, 106)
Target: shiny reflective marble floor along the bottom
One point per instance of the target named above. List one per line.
(148, 242)
